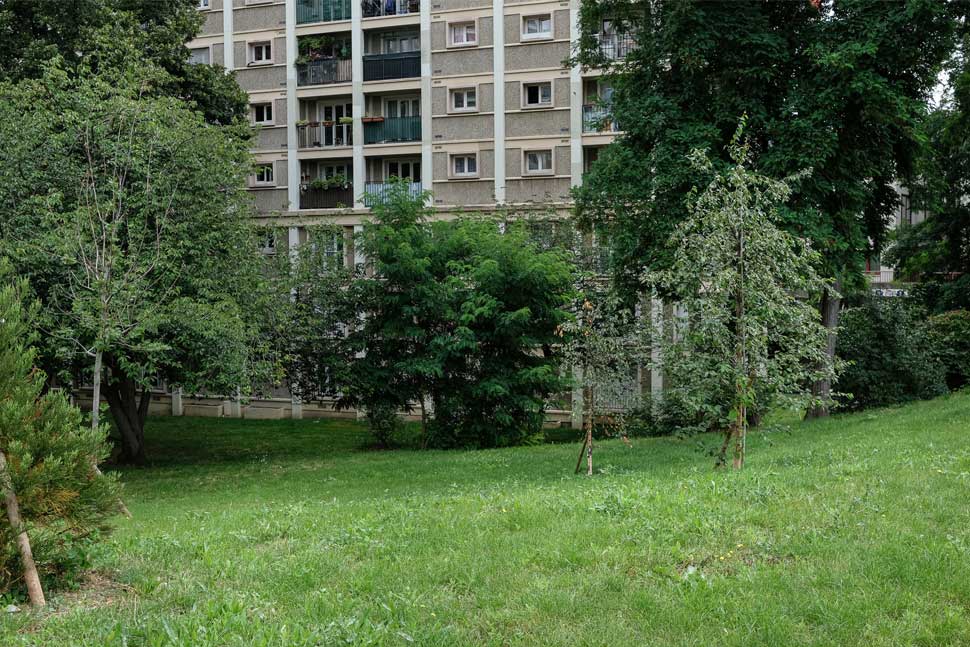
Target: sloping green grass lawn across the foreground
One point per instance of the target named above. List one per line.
(850, 531)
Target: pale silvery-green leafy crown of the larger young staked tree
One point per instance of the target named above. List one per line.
(745, 340)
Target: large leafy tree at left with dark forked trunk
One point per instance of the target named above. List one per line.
(129, 213)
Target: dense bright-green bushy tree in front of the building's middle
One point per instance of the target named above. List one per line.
(461, 317)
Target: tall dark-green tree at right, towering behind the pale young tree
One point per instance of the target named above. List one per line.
(836, 86)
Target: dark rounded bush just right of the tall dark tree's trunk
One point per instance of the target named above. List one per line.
(890, 356)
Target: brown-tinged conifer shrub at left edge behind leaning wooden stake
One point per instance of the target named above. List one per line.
(51, 455)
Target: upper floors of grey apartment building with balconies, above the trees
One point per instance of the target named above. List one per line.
(469, 99)
